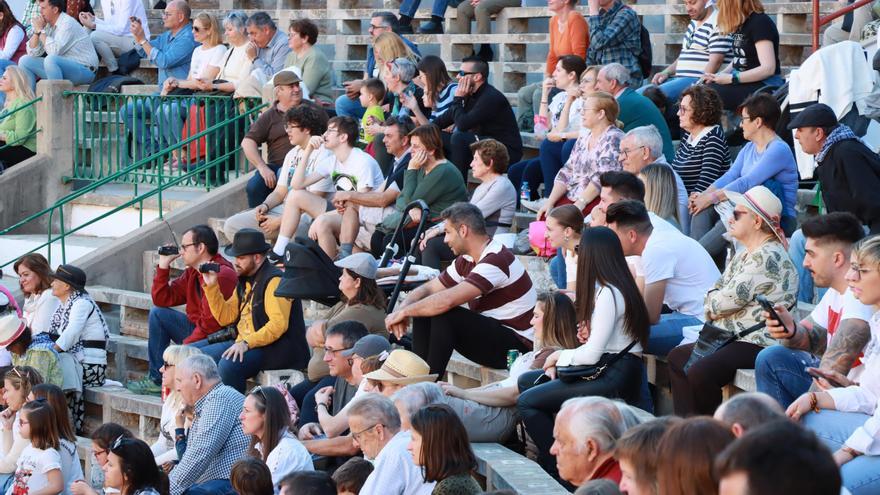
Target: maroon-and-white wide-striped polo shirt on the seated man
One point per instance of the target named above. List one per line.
(507, 293)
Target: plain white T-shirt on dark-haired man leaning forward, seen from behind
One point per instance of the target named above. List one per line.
(682, 262)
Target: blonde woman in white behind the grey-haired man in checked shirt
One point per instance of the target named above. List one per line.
(163, 448)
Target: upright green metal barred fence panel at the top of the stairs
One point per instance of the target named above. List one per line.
(112, 131)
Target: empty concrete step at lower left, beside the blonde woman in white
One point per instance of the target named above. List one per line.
(139, 413)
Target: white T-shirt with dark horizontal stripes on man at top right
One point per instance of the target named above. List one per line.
(699, 43)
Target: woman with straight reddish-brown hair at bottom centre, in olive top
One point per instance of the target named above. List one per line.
(440, 445)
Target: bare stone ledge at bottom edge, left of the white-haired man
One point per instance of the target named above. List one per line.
(504, 469)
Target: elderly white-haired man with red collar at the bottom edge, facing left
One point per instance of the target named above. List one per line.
(584, 435)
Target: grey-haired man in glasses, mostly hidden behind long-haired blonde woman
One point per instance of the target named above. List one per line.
(643, 146)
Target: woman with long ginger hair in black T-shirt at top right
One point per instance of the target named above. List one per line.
(756, 51)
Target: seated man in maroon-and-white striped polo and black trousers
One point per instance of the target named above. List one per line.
(480, 306)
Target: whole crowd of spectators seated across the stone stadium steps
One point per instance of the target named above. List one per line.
(680, 251)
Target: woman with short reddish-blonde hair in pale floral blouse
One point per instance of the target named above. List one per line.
(594, 153)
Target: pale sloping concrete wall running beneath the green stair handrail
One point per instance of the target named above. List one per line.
(119, 264)
